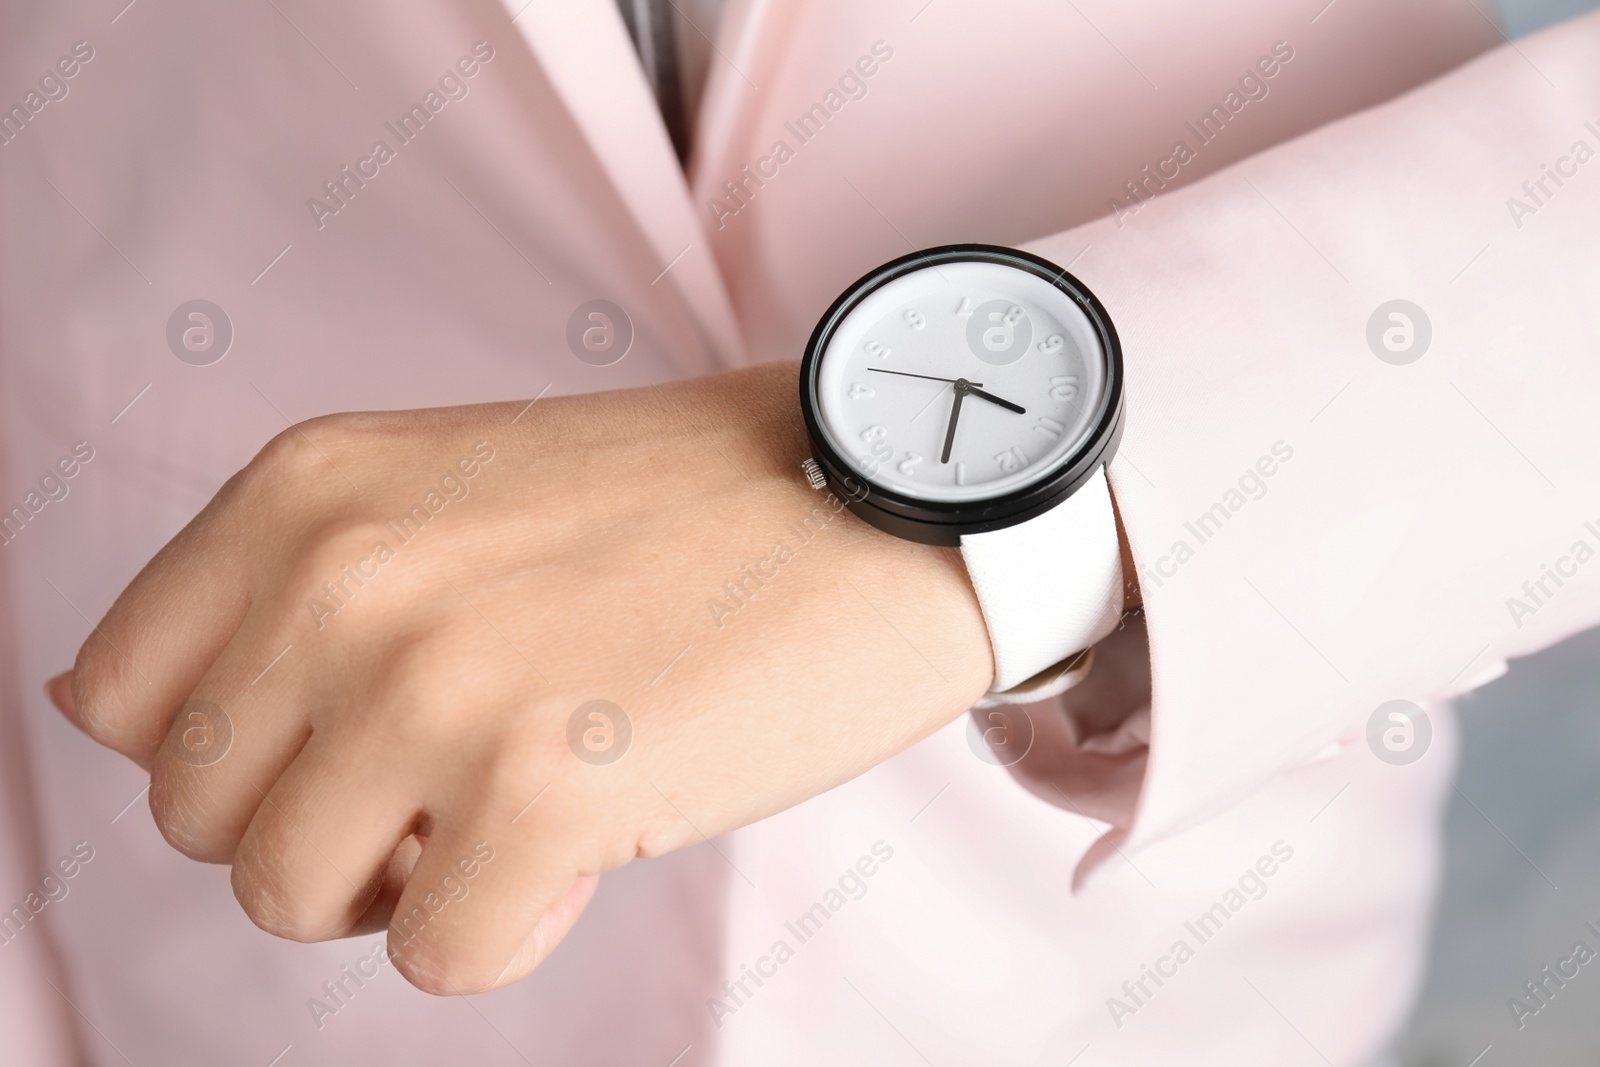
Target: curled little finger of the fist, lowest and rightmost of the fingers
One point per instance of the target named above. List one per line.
(489, 900)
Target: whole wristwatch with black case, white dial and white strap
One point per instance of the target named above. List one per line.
(972, 396)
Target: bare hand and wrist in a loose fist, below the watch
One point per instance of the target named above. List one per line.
(359, 676)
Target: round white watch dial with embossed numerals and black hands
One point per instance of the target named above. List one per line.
(961, 382)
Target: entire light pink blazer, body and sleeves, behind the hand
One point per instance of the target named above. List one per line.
(1378, 565)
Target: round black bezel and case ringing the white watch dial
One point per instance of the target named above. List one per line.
(945, 522)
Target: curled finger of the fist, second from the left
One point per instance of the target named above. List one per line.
(231, 740)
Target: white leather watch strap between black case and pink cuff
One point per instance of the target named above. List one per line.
(1050, 588)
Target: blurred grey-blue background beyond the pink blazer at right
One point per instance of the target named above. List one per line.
(1522, 858)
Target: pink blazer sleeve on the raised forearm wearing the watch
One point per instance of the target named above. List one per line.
(1361, 457)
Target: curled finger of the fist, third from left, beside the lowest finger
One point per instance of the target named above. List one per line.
(327, 841)
